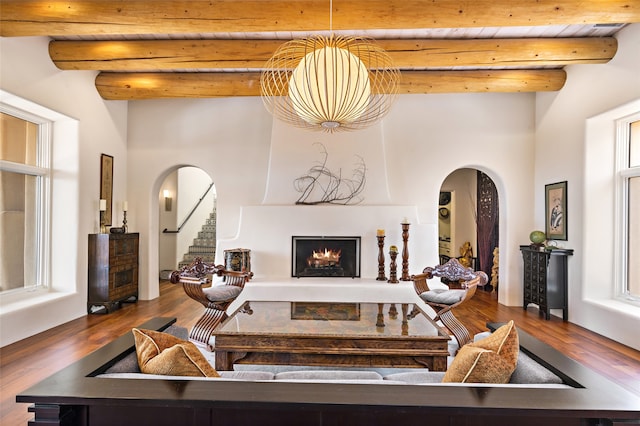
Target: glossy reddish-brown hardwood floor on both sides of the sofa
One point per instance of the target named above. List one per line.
(28, 361)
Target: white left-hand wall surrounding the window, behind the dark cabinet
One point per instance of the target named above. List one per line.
(27, 72)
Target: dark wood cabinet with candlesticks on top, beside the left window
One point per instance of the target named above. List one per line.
(113, 271)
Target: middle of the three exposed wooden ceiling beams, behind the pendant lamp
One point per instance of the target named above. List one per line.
(151, 55)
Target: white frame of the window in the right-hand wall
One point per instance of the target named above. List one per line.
(624, 172)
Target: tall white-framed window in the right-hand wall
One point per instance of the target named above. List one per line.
(628, 145)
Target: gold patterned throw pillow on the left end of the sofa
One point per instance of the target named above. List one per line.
(162, 353)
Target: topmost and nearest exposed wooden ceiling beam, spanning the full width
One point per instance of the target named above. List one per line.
(86, 17)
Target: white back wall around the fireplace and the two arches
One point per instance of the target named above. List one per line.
(253, 162)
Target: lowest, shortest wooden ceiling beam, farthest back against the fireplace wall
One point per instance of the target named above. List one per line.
(138, 86)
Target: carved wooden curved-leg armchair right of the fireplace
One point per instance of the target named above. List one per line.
(444, 301)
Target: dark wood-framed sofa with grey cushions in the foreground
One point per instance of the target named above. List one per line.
(549, 388)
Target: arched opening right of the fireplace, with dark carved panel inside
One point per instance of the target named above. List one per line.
(468, 222)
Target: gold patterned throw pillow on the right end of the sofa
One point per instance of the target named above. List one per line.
(489, 360)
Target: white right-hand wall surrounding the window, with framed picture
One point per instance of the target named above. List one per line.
(561, 119)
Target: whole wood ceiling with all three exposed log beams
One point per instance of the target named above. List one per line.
(146, 49)
